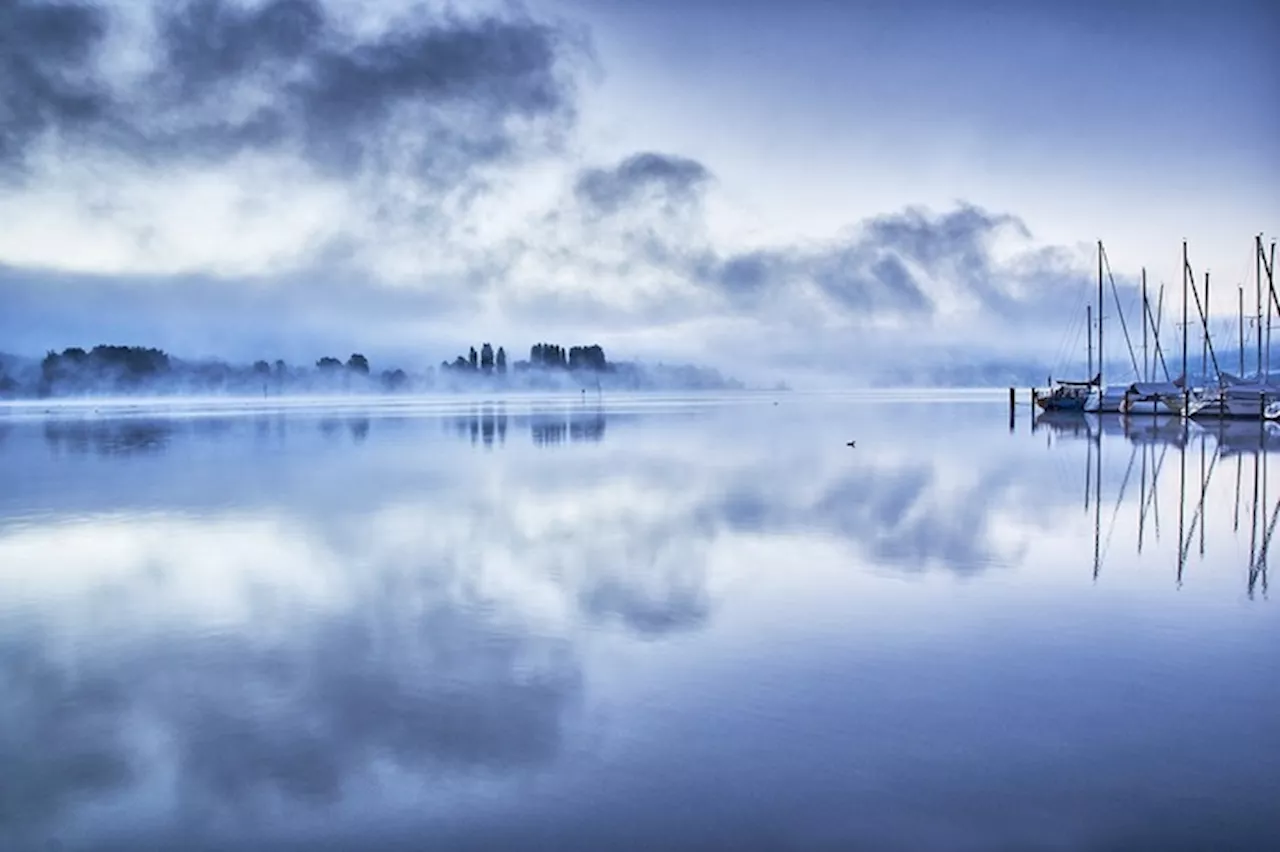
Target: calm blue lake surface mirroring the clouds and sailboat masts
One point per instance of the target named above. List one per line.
(636, 624)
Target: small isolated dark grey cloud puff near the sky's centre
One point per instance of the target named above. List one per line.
(641, 178)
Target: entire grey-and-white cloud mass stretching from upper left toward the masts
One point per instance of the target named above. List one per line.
(365, 178)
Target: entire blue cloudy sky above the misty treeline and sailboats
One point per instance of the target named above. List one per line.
(778, 190)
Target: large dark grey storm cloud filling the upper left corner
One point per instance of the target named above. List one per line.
(431, 97)
